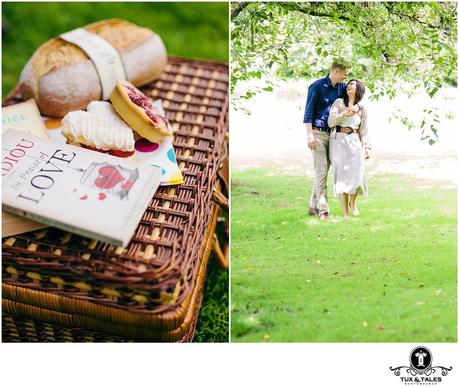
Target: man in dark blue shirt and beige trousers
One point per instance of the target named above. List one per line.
(321, 95)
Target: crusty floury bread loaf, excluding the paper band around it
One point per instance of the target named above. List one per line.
(62, 78)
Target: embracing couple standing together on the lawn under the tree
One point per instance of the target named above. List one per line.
(337, 129)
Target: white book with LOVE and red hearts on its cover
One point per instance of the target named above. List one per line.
(88, 193)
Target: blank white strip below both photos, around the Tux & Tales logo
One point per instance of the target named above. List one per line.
(311, 365)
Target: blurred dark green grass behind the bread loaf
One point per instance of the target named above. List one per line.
(192, 30)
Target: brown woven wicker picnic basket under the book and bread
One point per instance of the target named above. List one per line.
(59, 286)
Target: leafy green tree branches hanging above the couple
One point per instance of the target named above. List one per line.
(393, 46)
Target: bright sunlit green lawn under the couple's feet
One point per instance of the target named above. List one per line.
(388, 276)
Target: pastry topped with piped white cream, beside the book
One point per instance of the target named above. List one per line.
(99, 129)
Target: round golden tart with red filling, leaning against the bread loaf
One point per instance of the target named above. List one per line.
(136, 109)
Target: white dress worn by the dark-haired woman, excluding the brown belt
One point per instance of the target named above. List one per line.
(346, 155)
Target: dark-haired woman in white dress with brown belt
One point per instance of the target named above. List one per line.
(349, 145)
